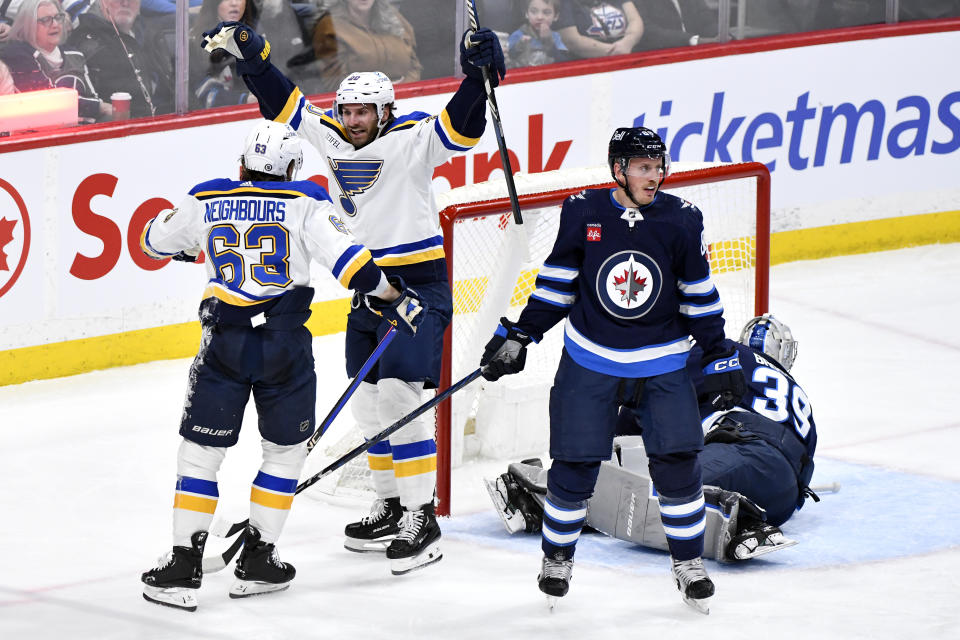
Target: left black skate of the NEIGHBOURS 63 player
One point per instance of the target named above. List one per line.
(174, 582)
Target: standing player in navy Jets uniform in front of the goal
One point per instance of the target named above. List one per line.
(629, 274)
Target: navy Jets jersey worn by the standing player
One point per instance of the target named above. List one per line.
(633, 284)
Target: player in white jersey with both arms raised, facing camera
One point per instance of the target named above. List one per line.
(381, 167)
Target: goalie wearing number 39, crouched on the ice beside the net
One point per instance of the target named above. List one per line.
(757, 462)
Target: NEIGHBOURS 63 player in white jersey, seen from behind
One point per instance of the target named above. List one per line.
(259, 234)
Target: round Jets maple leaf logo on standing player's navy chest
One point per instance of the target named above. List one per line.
(628, 284)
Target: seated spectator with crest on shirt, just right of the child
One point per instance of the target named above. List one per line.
(596, 28)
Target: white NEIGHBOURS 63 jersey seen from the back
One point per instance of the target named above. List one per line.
(259, 238)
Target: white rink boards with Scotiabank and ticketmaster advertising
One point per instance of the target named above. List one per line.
(851, 131)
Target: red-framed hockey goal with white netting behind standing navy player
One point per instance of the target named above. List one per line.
(492, 264)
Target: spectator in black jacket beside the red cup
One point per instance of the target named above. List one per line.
(119, 56)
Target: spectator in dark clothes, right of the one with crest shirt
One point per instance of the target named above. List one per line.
(676, 23)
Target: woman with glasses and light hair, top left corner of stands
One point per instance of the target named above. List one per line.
(34, 59)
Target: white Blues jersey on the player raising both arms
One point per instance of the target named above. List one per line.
(384, 188)
